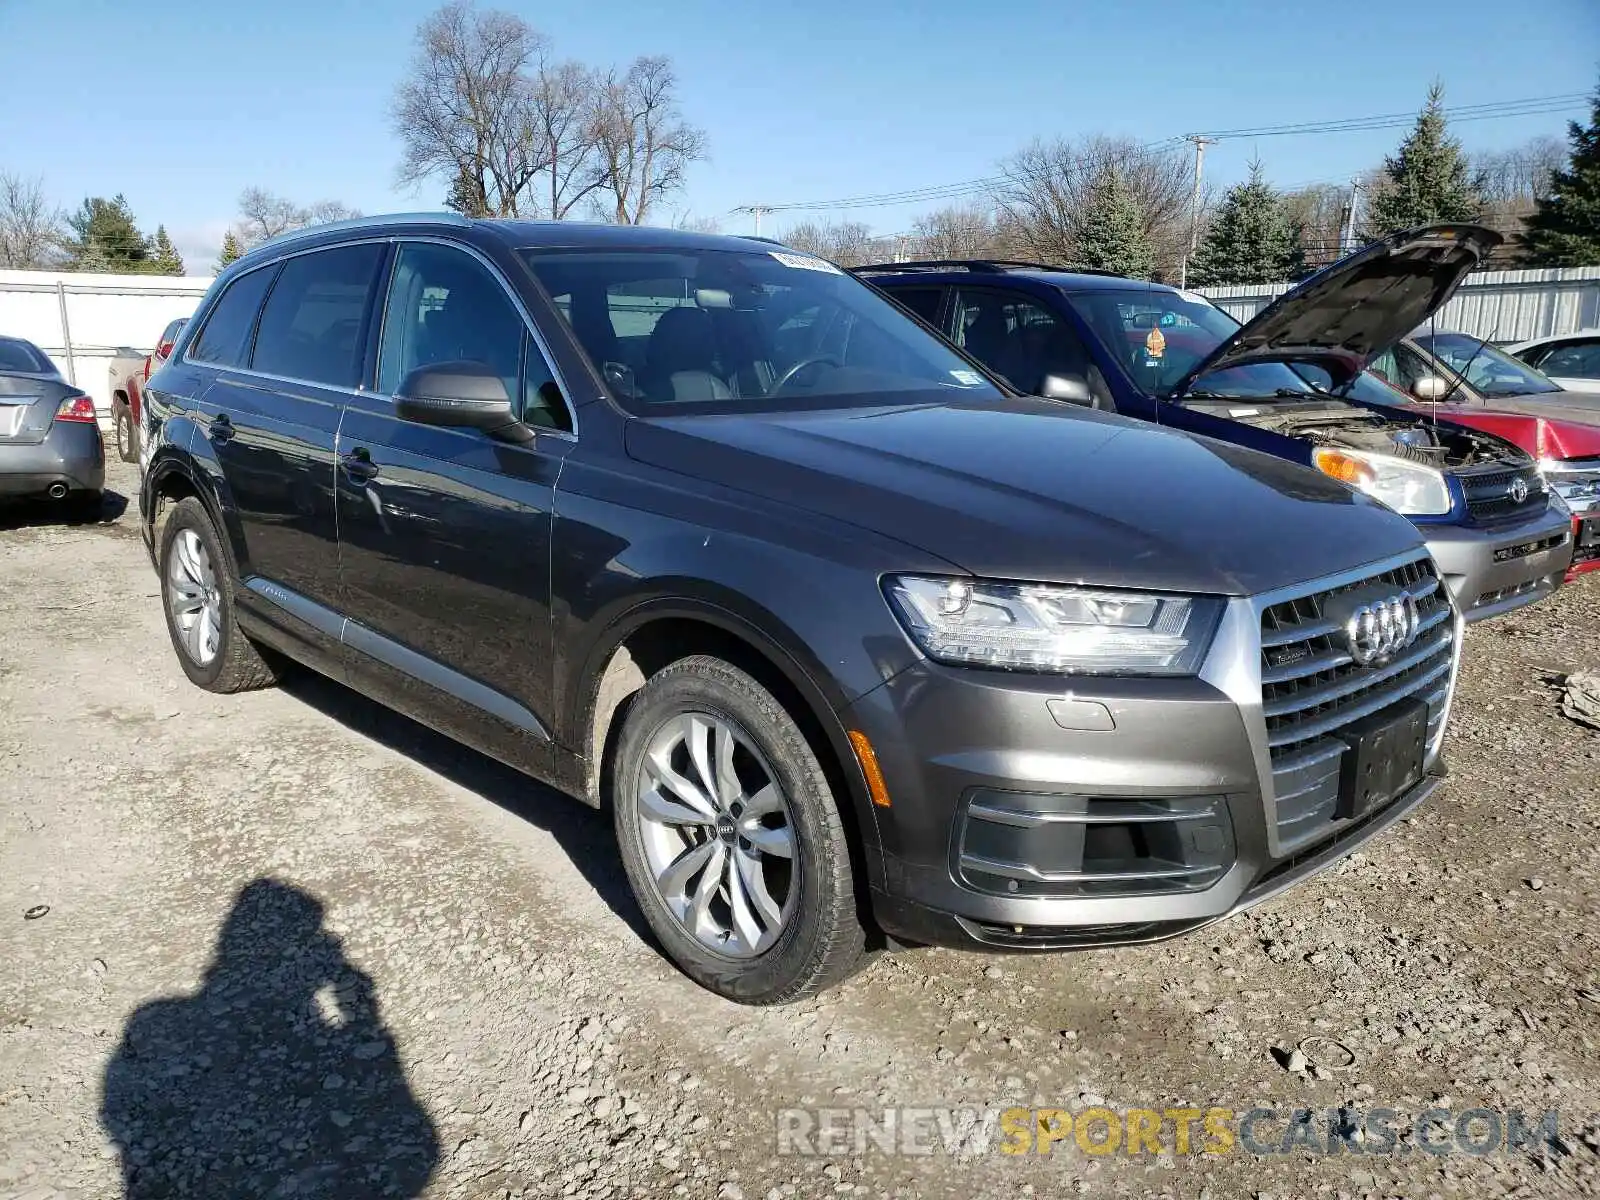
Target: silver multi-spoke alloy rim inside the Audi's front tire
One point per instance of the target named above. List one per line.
(718, 834)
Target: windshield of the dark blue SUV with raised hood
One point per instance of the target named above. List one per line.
(1159, 337)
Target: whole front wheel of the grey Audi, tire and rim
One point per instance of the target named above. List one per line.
(732, 839)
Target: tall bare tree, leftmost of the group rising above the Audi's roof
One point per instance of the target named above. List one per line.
(468, 110)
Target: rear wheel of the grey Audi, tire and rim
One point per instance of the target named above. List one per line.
(198, 596)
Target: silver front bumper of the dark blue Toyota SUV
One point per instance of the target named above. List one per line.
(1497, 570)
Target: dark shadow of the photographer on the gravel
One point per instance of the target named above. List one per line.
(276, 1079)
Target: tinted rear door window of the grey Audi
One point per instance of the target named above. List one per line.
(316, 316)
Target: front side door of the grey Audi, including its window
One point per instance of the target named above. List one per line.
(446, 534)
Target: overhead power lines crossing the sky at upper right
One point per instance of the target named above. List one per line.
(954, 191)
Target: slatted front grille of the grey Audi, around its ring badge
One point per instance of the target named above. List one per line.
(1313, 689)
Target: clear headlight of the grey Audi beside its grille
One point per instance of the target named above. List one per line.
(1055, 630)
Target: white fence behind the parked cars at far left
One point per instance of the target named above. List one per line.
(103, 313)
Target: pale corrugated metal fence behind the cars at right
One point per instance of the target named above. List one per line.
(1503, 306)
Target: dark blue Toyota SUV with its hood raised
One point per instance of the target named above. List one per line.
(1281, 385)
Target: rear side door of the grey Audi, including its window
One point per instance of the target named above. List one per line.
(271, 430)
